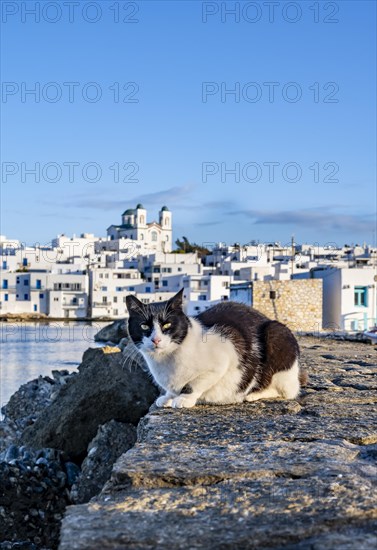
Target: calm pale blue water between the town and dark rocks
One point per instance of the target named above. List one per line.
(32, 349)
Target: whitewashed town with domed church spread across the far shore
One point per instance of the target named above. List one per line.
(90, 277)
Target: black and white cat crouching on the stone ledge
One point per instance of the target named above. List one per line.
(227, 354)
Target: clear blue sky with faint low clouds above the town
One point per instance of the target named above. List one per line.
(177, 141)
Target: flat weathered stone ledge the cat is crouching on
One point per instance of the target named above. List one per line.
(273, 474)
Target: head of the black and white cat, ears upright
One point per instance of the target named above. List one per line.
(157, 329)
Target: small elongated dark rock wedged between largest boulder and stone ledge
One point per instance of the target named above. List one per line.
(112, 440)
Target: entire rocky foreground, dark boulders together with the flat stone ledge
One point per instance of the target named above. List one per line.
(64, 442)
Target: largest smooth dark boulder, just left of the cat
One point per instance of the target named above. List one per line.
(108, 387)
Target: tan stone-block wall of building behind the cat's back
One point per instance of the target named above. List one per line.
(296, 303)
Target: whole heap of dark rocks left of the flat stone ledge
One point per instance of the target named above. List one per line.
(59, 440)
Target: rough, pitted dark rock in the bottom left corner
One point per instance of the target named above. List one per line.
(34, 491)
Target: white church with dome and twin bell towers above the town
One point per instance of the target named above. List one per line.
(153, 235)
